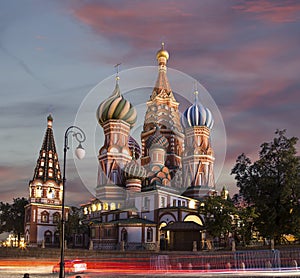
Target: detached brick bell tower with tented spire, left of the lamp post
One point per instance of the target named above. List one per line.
(42, 214)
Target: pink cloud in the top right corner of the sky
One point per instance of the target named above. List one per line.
(271, 11)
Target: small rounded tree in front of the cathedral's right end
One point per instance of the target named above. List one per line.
(218, 216)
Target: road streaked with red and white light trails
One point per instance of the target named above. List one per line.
(42, 268)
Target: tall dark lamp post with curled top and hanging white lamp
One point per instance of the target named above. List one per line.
(80, 137)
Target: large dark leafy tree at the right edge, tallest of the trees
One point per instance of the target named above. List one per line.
(272, 186)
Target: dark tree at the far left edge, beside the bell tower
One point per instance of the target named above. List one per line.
(12, 217)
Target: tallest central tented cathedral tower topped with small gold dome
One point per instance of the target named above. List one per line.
(162, 110)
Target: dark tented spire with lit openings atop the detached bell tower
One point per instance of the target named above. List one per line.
(47, 167)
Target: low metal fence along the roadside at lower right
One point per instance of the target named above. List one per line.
(239, 260)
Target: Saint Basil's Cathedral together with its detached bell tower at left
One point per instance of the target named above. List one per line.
(148, 195)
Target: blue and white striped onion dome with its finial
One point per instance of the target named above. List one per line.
(197, 115)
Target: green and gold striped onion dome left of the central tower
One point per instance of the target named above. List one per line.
(116, 107)
